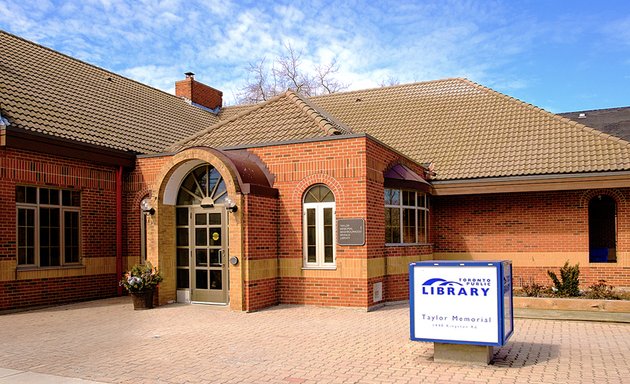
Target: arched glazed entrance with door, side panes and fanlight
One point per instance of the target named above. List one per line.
(201, 236)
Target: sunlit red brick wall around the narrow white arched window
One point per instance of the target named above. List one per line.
(340, 164)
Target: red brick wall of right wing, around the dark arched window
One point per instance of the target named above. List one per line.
(531, 222)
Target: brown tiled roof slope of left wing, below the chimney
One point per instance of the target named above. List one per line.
(48, 92)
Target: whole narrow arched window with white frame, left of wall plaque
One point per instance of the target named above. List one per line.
(319, 227)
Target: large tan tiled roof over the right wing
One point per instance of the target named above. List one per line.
(470, 131)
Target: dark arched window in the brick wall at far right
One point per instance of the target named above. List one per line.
(602, 229)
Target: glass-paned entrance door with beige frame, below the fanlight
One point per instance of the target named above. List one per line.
(208, 272)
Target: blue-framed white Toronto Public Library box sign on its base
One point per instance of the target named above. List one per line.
(464, 307)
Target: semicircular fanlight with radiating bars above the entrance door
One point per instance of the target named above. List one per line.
(203, 186)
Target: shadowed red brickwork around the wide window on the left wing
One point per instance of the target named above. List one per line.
(98, 224)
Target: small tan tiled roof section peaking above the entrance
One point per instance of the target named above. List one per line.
(286, 117)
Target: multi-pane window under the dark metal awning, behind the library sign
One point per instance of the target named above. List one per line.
(406, 217)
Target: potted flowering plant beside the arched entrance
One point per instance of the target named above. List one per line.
(141, 281)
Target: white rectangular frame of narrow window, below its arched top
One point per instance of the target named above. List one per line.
(319, 235)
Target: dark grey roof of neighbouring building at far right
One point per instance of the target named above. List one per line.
(613, 121)
